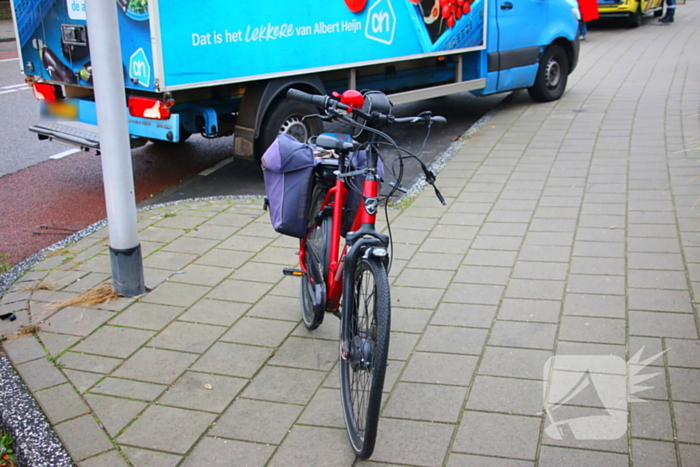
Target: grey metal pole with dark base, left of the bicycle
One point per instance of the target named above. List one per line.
(117, 172)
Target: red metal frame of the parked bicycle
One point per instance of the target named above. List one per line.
(363, 225)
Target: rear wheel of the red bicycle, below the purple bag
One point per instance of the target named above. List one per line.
(318, 243)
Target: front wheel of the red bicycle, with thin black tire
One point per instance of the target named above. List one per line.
(366, 329)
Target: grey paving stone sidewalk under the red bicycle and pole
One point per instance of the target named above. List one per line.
(571, 230)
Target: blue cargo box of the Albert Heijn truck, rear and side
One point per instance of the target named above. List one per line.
(174, 45)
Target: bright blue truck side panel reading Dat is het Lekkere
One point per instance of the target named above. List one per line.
(212, 43)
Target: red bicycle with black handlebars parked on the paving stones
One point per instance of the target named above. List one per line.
(352, 282)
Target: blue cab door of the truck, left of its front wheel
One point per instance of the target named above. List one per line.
(520, 25)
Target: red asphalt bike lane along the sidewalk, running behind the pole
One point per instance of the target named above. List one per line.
(68, 193)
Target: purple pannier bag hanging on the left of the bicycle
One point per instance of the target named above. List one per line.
(288, 171)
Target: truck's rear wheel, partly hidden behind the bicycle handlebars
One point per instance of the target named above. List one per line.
(286, 117)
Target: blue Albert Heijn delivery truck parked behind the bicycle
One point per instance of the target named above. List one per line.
(223, 67)
